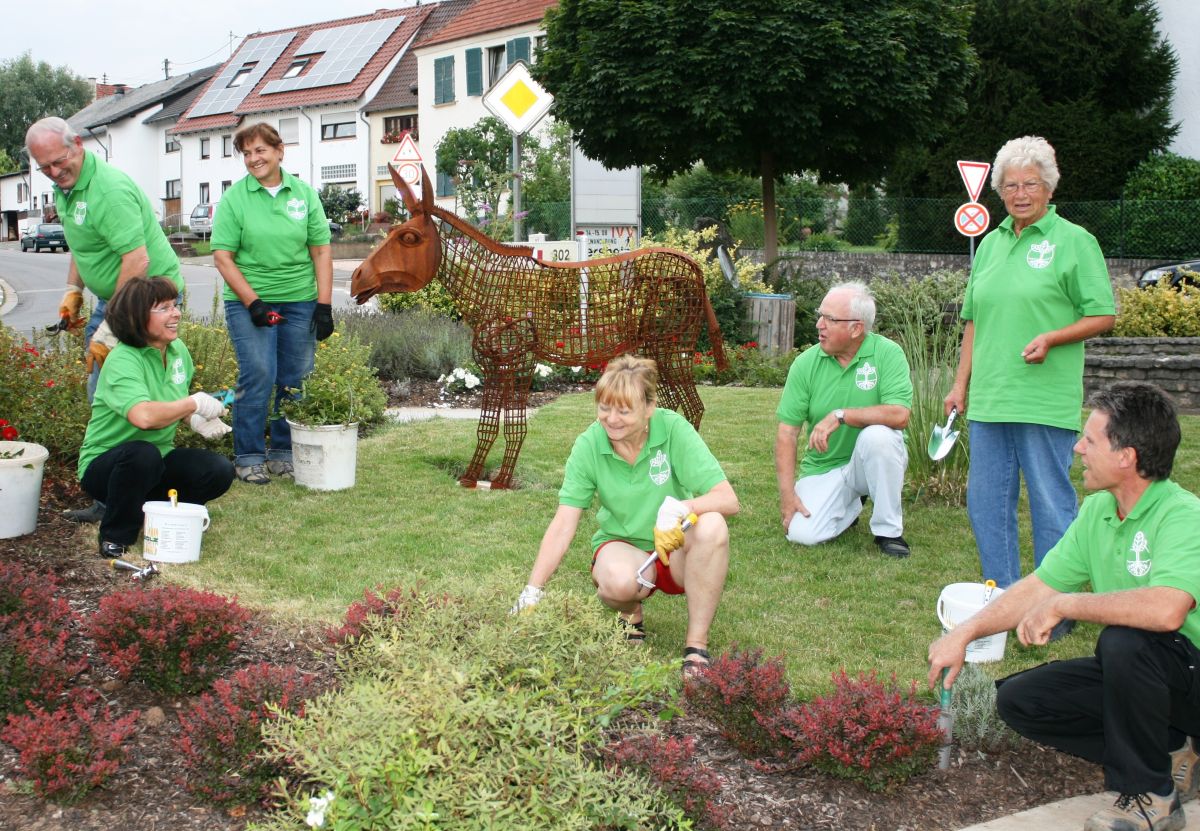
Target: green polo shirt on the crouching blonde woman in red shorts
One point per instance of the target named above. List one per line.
(675, 462)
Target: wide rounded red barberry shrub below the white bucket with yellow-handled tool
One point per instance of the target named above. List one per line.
(172, 639)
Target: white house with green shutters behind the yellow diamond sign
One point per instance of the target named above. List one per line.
(457, 65)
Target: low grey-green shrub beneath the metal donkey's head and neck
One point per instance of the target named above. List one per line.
(411, 344)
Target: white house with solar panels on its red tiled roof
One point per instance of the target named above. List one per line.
(310, 83)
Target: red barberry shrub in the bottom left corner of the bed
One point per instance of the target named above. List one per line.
(69, 751)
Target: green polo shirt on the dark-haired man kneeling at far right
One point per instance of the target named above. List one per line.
(1156, 546)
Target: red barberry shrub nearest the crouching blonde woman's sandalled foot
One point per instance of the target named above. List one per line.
(742, 695)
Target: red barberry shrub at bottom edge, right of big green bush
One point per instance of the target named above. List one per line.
(671, 763)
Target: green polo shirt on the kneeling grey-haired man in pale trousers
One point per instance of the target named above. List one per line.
(818, 385)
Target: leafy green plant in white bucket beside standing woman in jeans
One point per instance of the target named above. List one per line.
(340, 394)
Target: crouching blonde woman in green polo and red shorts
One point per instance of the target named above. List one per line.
(651, 470)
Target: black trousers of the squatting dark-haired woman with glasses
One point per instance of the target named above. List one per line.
(134, 474)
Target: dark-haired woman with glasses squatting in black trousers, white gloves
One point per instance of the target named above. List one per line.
(129, 453)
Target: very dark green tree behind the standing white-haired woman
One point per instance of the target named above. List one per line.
(1091, 76)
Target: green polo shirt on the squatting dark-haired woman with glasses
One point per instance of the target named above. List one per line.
(131, 376)
